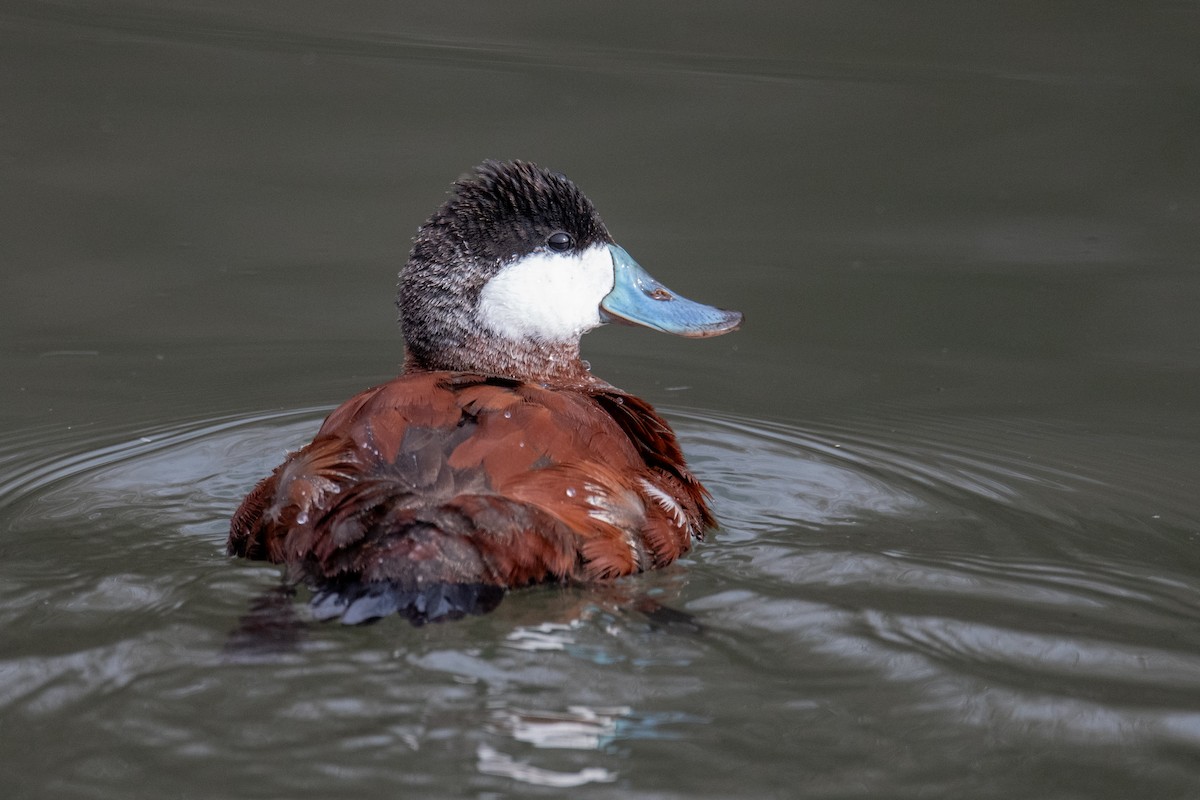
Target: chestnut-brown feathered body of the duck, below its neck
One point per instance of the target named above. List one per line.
(458, 479)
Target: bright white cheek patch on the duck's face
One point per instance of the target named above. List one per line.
(551, 297)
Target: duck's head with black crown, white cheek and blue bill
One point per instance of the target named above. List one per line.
(508, 275)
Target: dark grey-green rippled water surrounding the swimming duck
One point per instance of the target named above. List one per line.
(955, 452)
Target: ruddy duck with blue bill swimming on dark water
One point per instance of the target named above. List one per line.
(496, 460)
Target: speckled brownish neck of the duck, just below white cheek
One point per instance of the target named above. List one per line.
(557, 364)
